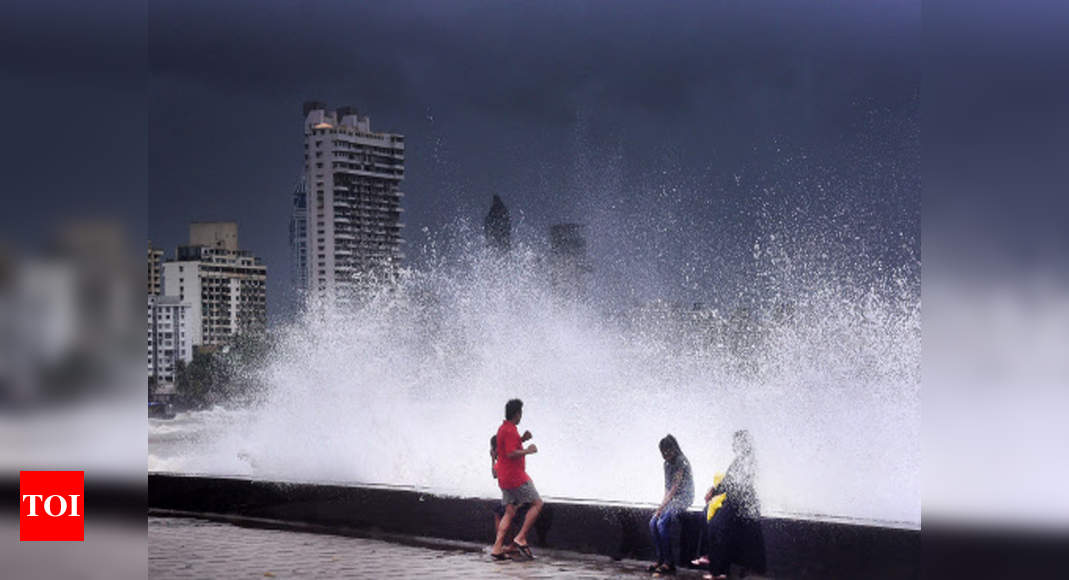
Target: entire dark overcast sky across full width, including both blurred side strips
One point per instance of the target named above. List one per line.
(677, 132)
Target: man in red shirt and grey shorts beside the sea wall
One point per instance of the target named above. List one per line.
(517, 487)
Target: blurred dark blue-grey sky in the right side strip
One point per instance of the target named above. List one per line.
(996, 134)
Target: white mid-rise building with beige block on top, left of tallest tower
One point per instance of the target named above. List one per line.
(225, 286)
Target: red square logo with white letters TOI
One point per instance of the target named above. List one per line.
(52, 506)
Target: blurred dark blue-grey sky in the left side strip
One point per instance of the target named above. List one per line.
(73, 79)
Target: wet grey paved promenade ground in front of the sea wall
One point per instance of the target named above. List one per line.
(192, 548)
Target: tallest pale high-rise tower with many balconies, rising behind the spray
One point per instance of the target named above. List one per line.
(350, 202)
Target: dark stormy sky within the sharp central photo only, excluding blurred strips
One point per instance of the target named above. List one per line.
(570, 111)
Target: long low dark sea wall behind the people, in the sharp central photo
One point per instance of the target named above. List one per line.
(796, 548)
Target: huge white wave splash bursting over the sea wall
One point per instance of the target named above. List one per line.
(409, 388)
